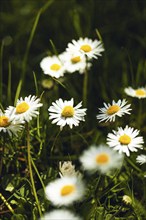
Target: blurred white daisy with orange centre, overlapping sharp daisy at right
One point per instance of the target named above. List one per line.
(101, 158)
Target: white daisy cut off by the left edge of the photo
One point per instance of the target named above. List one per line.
(9, 125)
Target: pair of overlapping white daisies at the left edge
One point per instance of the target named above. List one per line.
(12, 119)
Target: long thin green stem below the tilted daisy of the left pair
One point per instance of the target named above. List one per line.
(30, 171)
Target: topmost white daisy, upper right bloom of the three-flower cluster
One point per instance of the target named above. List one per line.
(86, 46)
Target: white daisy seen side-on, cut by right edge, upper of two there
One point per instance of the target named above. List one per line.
(137, 93)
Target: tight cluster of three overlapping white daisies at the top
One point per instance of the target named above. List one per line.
(76, 57)
